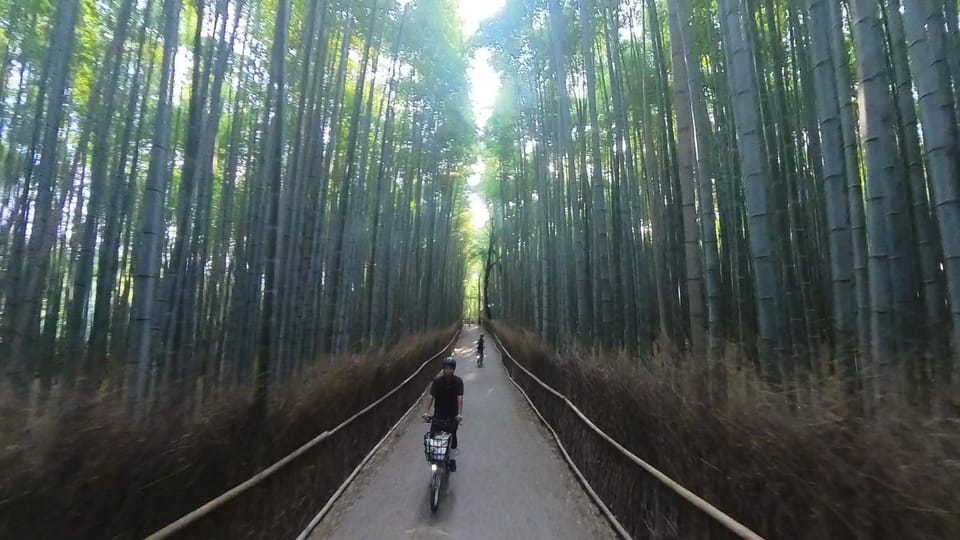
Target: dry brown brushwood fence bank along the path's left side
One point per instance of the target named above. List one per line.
(91, 474)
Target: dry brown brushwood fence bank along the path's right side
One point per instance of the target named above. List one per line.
(785, 472)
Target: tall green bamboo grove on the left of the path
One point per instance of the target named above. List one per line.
(217, 190)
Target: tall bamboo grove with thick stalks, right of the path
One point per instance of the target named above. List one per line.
(769, 177)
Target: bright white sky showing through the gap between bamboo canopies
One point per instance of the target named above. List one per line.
(484, 84)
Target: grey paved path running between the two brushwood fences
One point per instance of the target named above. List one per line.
(511, 481)
